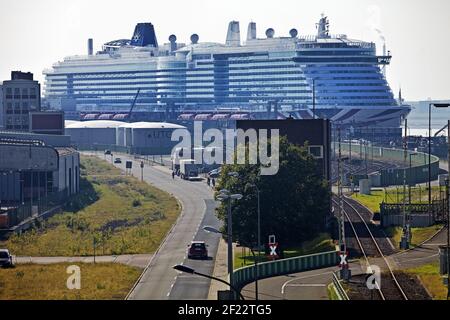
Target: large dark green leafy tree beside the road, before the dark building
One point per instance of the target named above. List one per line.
(294, 203)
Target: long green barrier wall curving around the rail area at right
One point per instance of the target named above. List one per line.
(418, 173)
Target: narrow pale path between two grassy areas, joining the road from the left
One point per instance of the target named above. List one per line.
(135, 260)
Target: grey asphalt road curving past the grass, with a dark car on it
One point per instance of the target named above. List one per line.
(160, 281)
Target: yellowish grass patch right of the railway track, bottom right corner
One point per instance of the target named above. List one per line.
(431, 279)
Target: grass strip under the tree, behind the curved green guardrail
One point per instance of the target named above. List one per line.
(322, 243)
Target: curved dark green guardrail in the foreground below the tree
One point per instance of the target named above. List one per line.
(246, 275)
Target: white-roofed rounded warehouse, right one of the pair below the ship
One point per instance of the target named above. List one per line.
(147, 138)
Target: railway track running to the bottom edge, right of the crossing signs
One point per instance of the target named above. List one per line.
(389, 288)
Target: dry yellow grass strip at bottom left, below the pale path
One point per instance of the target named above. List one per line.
(49, 282)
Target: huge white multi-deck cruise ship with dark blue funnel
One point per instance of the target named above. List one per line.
(319, 76)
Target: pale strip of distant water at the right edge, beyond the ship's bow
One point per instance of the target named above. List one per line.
(418, 119)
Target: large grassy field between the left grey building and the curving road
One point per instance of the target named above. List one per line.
(118, 213)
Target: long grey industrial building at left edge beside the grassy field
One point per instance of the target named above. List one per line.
(37, 174)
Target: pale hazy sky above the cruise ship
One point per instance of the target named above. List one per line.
(36, 33)
